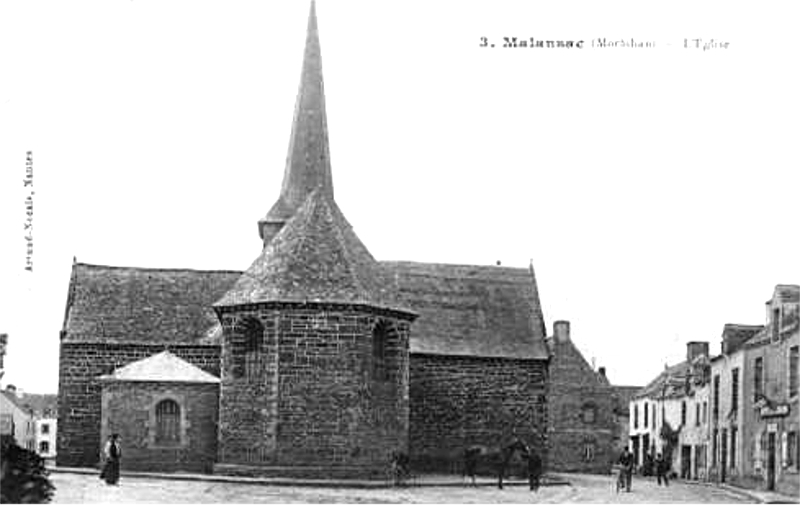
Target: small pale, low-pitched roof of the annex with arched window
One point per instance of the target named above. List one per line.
(161, 367)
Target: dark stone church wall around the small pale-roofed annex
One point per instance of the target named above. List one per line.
(80, 364)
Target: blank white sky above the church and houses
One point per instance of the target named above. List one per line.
(656, 191)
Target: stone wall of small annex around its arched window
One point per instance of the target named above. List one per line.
(129, 409)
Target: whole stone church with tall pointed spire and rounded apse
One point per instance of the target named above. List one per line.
(317, 360)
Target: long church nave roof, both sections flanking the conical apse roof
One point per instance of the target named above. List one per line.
(463, 310)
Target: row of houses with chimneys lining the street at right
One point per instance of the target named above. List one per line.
(732, 417)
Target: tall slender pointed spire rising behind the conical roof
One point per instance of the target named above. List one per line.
(308, 161)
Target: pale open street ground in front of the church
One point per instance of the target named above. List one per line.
(75, 488)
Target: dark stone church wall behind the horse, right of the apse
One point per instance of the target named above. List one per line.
(459, 401)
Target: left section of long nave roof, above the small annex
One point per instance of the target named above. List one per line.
(143, 305)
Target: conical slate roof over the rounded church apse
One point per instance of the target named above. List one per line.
(316, 257)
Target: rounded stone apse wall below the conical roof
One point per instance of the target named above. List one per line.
(310, 395)
